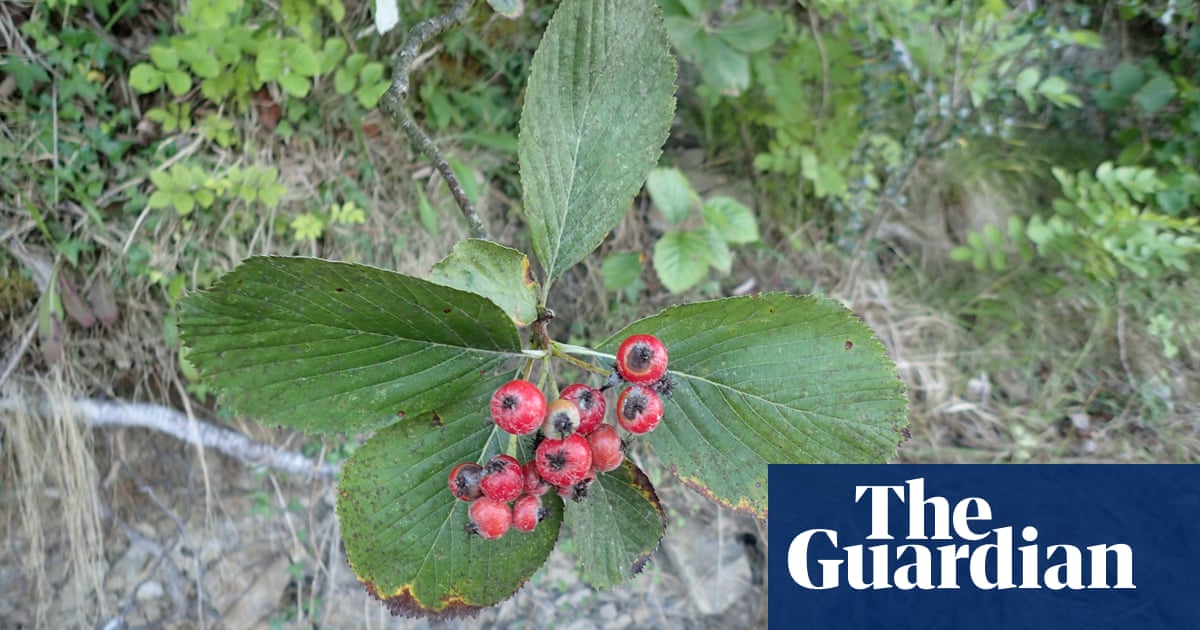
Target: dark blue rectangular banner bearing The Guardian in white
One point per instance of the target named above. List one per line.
(981, 548)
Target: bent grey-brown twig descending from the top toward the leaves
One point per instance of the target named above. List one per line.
(394, 104)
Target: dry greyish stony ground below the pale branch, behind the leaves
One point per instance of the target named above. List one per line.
(251, 550)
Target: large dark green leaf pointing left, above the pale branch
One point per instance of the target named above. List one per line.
(325, 346)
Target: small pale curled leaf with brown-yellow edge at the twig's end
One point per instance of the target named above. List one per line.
(495, 272)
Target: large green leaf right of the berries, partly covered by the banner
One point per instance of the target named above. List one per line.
(770, 380)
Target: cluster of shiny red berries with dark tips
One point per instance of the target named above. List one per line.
(573, 442)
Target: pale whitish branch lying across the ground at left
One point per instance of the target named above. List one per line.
(176, 424)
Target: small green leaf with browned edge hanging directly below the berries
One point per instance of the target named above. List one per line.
(616, 527)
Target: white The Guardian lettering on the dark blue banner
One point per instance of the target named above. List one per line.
(946, 547)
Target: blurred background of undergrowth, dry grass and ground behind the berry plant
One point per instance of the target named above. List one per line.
(1006, 191)
